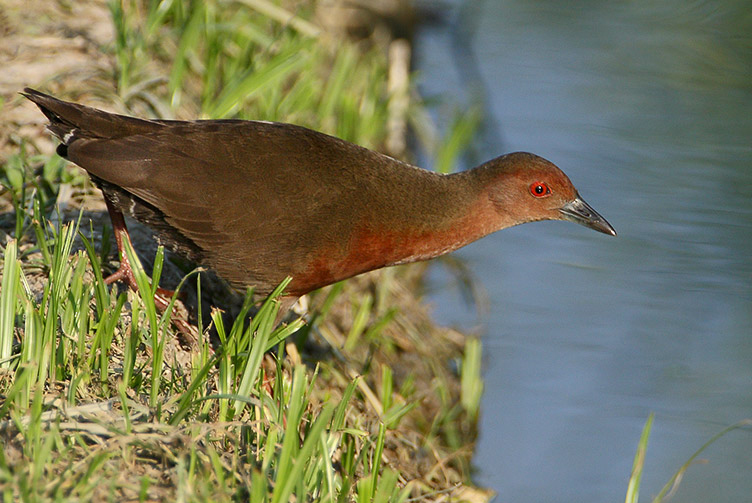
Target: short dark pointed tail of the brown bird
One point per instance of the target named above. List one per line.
(69, 121)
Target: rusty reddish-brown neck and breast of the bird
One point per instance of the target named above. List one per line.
(441, 214)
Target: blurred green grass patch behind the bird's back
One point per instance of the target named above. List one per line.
(239, 63)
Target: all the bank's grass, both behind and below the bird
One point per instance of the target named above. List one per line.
(99, 401)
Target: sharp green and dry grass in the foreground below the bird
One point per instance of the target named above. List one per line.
(230, 422)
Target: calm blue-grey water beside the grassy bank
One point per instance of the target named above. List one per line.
(647, 106)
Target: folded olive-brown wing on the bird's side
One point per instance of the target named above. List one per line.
(257, 199)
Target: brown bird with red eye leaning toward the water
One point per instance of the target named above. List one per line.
(259, 201)
